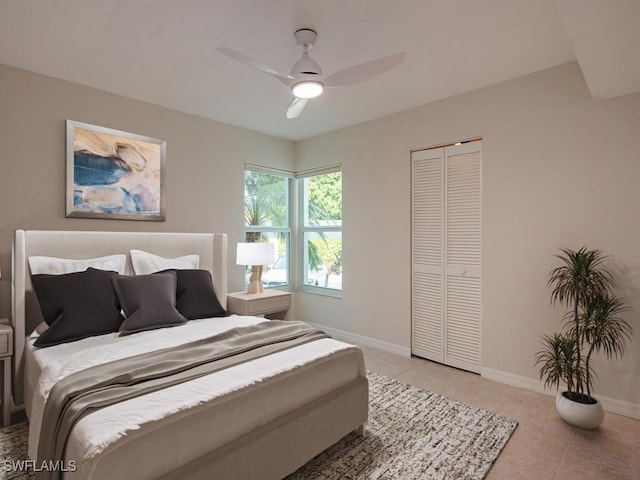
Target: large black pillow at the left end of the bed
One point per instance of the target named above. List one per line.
(76, 305)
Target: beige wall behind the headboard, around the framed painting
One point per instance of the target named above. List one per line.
(205, 163)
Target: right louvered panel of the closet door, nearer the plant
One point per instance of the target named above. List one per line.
(462, 247)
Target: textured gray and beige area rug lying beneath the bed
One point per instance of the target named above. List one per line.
(411, 434)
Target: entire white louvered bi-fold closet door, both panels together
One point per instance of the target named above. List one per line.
(445, 211)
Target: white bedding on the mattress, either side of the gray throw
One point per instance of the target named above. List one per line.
(96, 443)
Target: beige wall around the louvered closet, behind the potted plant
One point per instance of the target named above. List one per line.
(559, 170)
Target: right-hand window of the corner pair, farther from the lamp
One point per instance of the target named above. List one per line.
(321, 231)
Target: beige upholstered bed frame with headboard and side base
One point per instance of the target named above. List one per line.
(272, 450)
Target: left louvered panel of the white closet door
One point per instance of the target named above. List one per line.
(427, 192)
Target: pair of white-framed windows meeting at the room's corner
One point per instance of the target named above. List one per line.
(317, 232)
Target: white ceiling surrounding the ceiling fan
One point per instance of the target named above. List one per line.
(163, 51)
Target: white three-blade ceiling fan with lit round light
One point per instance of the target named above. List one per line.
(306, 79)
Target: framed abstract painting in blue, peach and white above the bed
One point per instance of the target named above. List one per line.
(112, 174)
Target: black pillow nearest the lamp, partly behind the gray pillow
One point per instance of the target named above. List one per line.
(195, 297)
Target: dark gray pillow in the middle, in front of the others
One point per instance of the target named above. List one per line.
(148, 301)
